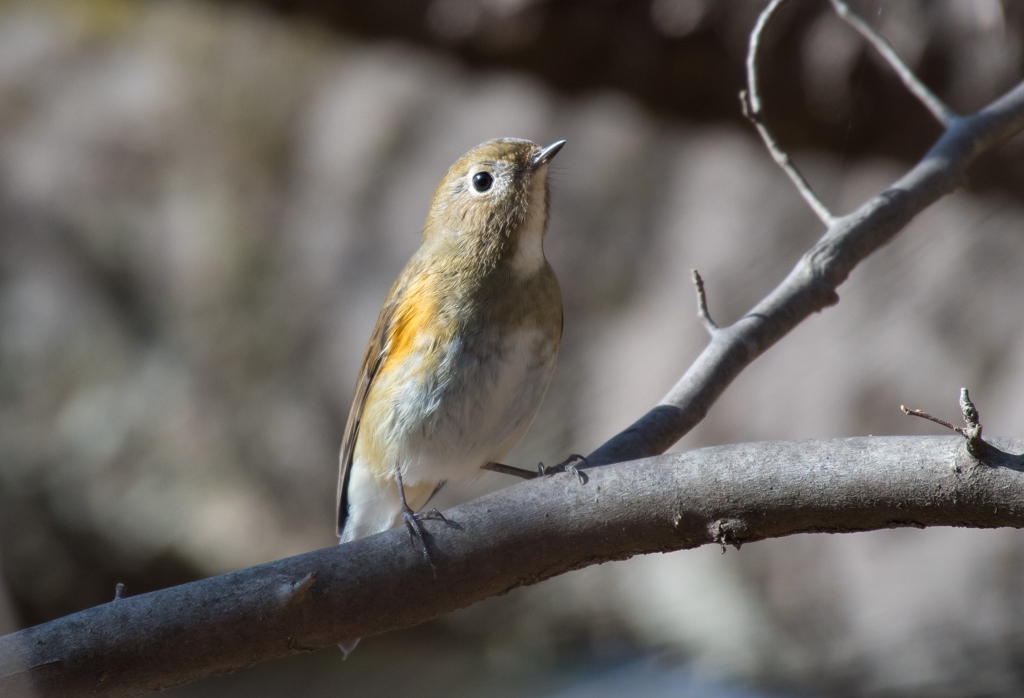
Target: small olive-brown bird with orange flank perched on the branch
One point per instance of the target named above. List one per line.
(464, 347)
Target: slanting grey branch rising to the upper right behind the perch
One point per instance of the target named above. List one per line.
(812, 286)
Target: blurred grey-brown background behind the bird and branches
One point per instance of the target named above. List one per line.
(203, 205)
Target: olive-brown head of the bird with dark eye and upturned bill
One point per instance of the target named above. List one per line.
(493, 204)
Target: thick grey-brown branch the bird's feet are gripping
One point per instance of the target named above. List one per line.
(522, 536)
